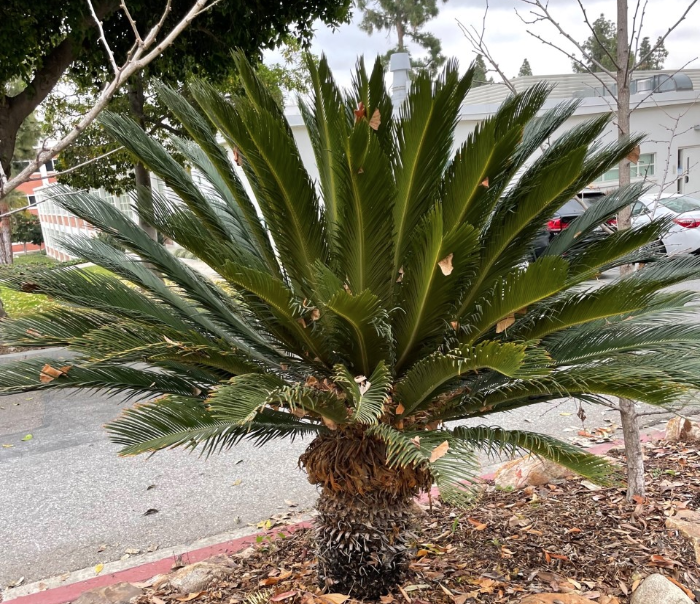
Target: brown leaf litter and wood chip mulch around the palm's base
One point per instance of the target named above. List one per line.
(570, 537)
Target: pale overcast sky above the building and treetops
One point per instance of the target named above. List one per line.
(507, 37)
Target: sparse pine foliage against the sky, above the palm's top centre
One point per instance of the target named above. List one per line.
(408, 18)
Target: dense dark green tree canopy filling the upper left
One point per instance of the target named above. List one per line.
(41, 41)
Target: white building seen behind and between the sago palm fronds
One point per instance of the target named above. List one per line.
(666, 110)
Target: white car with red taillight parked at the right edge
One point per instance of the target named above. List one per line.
(684, 235)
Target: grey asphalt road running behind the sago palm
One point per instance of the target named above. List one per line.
(67, 501)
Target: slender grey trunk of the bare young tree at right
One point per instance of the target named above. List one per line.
(628, 415)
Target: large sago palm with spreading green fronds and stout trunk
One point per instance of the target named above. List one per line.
(369, 310)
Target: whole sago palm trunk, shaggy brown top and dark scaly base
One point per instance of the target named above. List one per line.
(364, 512)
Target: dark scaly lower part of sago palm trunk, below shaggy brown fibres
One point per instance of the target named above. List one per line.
(361, 543)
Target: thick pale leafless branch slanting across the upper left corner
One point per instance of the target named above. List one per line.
(136, 61)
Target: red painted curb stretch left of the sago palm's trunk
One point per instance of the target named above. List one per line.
(68, 593)
